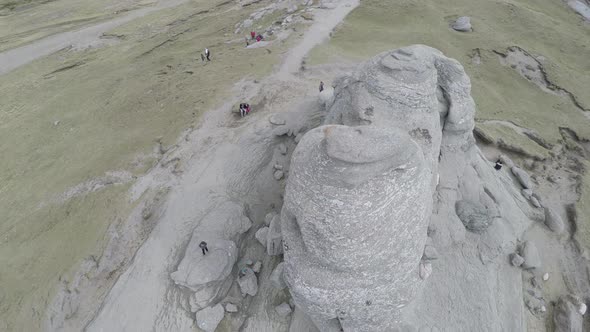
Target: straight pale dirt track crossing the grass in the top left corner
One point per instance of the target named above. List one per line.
(14, 58)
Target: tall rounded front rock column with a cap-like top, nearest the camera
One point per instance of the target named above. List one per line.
(349, 192)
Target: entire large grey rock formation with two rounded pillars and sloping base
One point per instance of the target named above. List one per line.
(394, 157)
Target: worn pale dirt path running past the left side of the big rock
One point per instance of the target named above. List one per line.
(220, 160)
